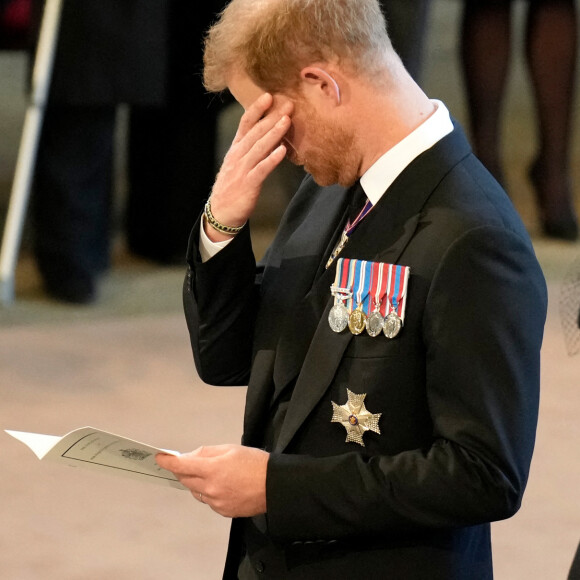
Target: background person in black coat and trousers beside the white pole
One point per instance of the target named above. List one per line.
(148, 55)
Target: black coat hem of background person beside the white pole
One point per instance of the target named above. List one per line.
(112, 51)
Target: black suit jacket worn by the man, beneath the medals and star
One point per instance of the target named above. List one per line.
(457, 389)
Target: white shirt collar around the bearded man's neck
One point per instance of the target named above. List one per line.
(380, 176)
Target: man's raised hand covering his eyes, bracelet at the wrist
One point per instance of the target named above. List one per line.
(256, 151)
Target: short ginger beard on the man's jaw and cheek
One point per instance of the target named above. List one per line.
(330, 157)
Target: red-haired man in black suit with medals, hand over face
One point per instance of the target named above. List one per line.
(377, 449)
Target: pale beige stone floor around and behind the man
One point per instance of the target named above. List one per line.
(124, 365)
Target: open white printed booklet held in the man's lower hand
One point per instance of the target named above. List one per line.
(102, 451)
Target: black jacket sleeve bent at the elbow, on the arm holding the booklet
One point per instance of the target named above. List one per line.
(482, 329)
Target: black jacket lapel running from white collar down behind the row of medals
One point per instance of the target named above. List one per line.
(381, 236)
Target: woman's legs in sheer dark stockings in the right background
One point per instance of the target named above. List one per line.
(551, 47)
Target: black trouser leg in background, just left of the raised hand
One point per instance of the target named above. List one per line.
(172, 159)
